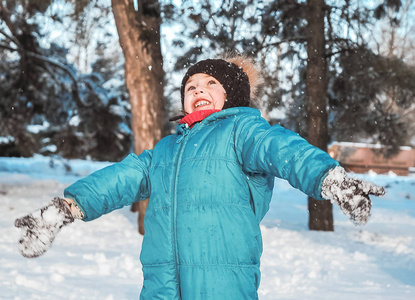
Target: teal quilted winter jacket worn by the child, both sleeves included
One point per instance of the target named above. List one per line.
(209, 188)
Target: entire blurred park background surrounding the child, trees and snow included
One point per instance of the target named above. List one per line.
(85, 82)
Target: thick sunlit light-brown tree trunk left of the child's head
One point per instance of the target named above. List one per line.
(139, 37)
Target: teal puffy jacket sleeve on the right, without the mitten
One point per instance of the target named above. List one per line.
(281, 153)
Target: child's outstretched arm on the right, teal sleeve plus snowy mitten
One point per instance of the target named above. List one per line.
(284, 154)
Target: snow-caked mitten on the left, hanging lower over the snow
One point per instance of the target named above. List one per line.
(40, 227)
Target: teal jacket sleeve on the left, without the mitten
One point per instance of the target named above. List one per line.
(112, 187)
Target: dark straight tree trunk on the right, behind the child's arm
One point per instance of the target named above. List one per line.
(320, 212)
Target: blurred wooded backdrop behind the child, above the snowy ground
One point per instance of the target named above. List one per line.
(97, 79)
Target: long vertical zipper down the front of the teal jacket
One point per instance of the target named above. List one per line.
(182, 141)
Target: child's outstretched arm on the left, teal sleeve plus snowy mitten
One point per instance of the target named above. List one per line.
(102, 192)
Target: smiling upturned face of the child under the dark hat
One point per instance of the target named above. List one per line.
(203, 92)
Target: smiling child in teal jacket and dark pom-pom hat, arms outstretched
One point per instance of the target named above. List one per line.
(209, 186)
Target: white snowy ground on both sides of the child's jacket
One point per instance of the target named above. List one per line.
(99, 259)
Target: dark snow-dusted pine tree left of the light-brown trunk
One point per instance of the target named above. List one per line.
(48, 107)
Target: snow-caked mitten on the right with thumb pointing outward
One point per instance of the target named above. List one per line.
(351, 194)
